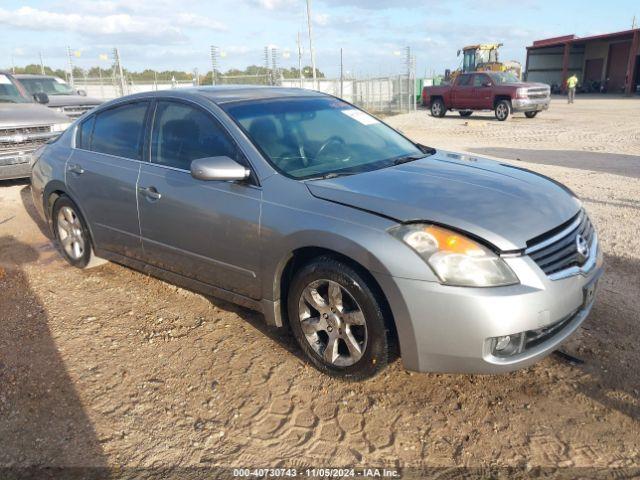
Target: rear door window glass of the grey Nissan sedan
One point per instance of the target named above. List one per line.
(120, 131)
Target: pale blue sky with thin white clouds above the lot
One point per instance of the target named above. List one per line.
(177, 34)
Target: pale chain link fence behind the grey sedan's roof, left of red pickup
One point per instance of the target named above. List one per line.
(380, 95)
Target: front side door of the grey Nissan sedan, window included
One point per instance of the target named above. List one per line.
(207, 230)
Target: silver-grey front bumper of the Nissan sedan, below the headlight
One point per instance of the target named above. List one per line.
(450, 329)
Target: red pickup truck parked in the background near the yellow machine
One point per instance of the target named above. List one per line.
(501, 92)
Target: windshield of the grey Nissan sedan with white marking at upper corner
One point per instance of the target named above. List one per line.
(315, 137)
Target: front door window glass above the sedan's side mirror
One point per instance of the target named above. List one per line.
(182, 133)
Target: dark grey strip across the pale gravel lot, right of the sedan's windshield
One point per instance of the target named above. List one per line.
(617, 164)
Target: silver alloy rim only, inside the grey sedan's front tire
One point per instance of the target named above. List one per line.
(333, 323)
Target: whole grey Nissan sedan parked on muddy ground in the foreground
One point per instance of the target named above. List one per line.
(328, 221)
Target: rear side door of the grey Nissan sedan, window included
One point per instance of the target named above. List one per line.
(102, 172)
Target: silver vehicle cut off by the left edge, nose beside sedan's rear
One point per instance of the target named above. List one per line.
(24, 126)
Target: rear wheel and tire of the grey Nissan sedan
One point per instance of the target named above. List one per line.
(71, 234)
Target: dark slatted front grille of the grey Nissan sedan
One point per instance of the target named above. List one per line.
(557, 250)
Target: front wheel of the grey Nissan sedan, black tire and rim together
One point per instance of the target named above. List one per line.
(337, 320)
